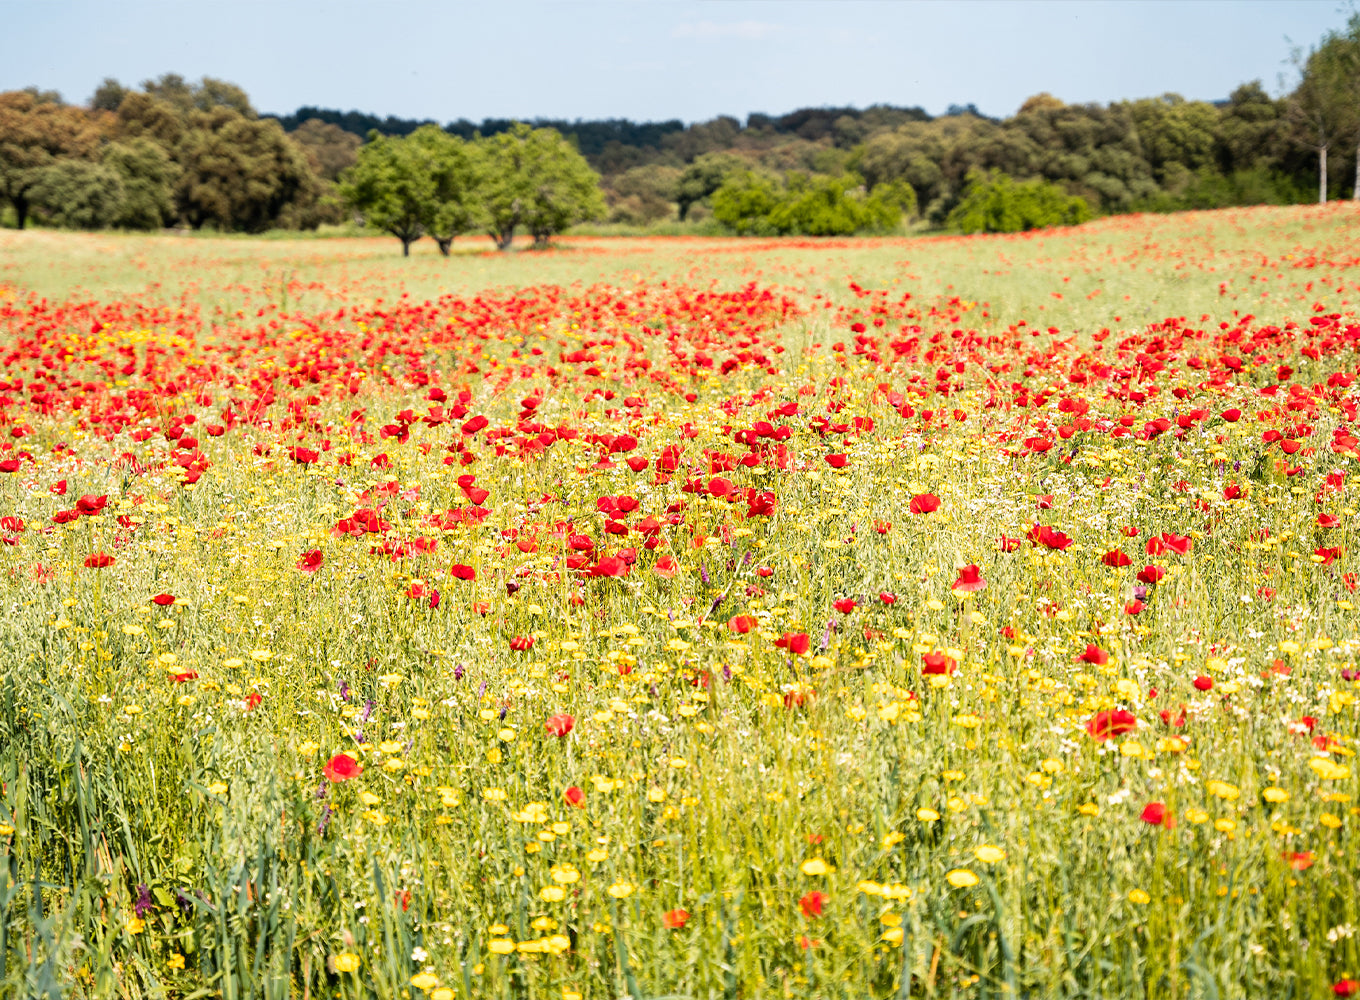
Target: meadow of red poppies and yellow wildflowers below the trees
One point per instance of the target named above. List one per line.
(683, 618)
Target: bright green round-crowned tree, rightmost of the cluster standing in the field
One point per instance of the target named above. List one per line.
(532, 178)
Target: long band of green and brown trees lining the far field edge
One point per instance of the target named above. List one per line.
(175, 153)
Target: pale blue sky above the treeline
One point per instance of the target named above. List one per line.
(653, 61)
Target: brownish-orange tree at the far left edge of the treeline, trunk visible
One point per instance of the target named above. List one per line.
(36, 133)
